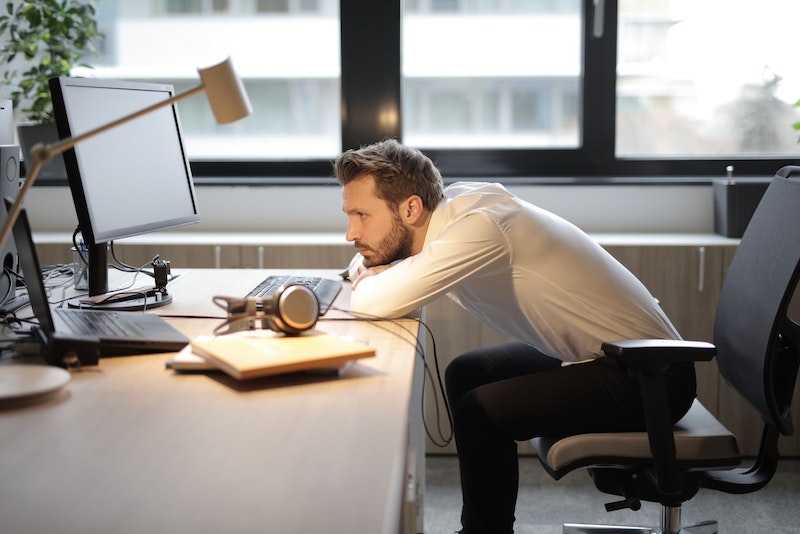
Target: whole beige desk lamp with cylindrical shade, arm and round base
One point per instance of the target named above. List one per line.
(229, 103)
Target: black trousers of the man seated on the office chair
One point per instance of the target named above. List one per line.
(513, 392)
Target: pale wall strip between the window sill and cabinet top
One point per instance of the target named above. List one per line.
(618, 208)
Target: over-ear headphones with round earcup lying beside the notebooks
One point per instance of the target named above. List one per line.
(291, 309)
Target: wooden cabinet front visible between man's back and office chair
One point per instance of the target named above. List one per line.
(686, 281)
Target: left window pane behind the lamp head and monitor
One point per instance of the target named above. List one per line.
(290, 68)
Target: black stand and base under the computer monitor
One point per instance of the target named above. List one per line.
(100, 299)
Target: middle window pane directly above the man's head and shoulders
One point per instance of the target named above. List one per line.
(507, 66)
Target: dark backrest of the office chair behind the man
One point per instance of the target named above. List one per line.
(757, 343)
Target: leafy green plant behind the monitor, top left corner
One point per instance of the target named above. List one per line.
(52, 36)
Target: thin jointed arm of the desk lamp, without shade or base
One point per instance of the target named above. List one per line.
(41, 154)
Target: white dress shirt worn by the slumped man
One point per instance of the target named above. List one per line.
(525, 271)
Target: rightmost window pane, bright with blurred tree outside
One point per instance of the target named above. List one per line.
(707, 79)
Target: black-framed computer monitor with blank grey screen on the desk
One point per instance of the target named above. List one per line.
(130, 180)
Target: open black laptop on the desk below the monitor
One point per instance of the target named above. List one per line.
(118, 332)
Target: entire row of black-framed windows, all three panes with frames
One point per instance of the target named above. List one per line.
(487, 88)
